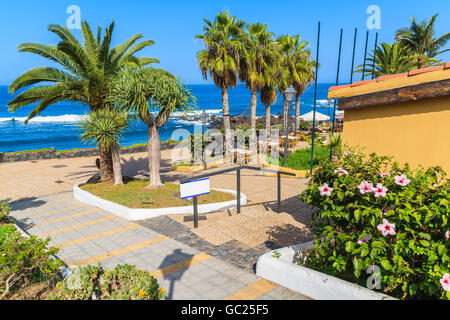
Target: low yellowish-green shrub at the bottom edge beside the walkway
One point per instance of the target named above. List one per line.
(123, 283)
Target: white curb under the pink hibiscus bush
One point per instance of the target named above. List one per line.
(311, 283)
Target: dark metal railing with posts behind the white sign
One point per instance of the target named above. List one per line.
(238, 185)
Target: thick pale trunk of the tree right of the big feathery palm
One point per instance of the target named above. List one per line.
(154, 157)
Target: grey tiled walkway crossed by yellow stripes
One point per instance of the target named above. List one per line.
(88, 235)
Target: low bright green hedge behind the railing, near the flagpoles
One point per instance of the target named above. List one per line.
(301, 159)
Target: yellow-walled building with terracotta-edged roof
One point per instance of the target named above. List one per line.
(403, 115)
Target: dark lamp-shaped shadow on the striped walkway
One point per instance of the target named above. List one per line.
(176, 257)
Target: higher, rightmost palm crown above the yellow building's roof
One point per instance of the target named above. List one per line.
(420, 39)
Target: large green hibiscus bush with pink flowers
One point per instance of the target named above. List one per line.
(372, 212)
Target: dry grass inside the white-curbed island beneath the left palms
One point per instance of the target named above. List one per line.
(133, 194)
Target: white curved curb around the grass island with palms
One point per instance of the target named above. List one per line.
(143, 214)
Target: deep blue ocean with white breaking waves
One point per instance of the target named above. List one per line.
(57, 125)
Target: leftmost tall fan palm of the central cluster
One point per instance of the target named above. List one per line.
(220, 59)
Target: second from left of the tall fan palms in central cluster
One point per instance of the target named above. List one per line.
(259, 57)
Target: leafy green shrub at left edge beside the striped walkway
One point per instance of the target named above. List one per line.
(24, 261)
